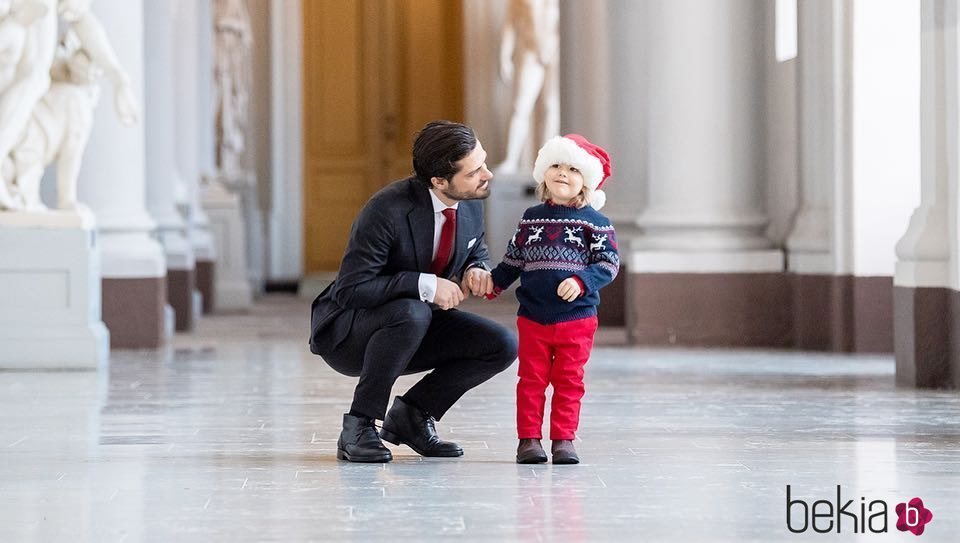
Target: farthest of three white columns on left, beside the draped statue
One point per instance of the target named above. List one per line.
(191, 56)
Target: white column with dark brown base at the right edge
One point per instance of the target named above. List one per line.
(927, 277)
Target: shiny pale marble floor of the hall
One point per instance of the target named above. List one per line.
(229, 434)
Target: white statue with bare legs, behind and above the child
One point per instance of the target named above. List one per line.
(529, 56)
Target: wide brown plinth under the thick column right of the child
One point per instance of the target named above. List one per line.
(709, 309)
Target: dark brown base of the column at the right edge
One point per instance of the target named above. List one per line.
(922, 332)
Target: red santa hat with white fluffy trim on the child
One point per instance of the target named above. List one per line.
(574, 149)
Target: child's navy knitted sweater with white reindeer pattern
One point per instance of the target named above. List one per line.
(552, 243)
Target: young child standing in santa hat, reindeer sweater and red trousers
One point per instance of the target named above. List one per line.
(564, 252)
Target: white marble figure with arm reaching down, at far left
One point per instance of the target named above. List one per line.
(59, 124)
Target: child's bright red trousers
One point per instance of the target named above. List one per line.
(552, 354)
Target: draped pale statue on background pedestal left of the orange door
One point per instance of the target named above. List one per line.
(232, 75)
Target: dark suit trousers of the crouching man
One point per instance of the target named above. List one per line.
(405, 336)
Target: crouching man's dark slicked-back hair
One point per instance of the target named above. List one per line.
(438, 147)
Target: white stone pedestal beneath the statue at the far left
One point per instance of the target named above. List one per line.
(50, 292)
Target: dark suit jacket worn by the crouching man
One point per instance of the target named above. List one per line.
(391, 244)
